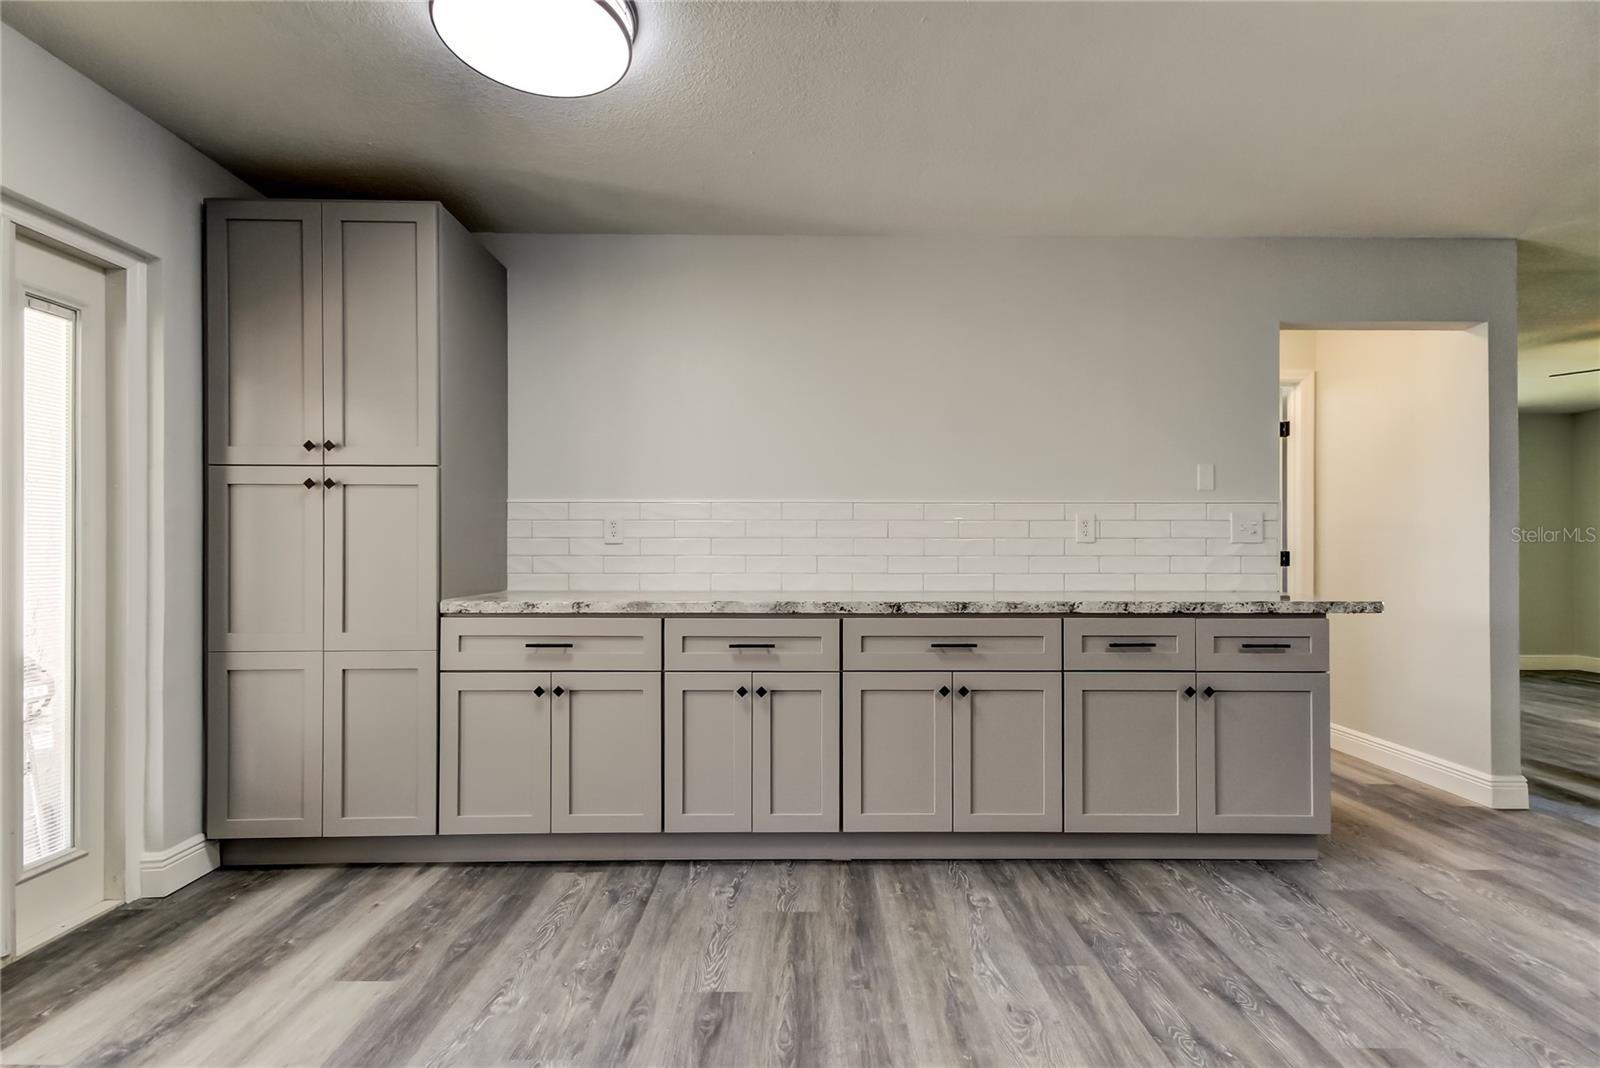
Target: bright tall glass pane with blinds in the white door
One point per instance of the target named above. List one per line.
(49, 607)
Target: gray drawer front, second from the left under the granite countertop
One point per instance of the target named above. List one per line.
(745, 645)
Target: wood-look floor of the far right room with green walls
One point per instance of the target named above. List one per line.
(1561, 735)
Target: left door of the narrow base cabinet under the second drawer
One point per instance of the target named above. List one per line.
(708, 752)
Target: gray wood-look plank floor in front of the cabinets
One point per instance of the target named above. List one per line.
(1430, 933)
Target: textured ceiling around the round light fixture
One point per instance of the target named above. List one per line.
(906, 118)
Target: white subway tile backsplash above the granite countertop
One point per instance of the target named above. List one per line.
(838, 546)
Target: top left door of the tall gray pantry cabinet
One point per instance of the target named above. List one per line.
(263, 332)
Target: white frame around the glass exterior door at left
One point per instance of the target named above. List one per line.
(134, 671)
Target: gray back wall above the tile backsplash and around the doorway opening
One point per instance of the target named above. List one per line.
(1062, 369)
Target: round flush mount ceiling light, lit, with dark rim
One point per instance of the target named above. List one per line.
(543, 47)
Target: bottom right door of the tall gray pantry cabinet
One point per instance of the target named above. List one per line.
(380, 743)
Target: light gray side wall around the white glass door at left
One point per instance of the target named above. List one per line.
(78, 153)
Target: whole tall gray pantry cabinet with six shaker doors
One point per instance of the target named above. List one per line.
(356, 452)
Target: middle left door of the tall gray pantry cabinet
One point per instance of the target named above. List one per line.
(265, 559)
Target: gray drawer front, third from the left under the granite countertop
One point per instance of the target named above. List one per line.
(921, 645)
